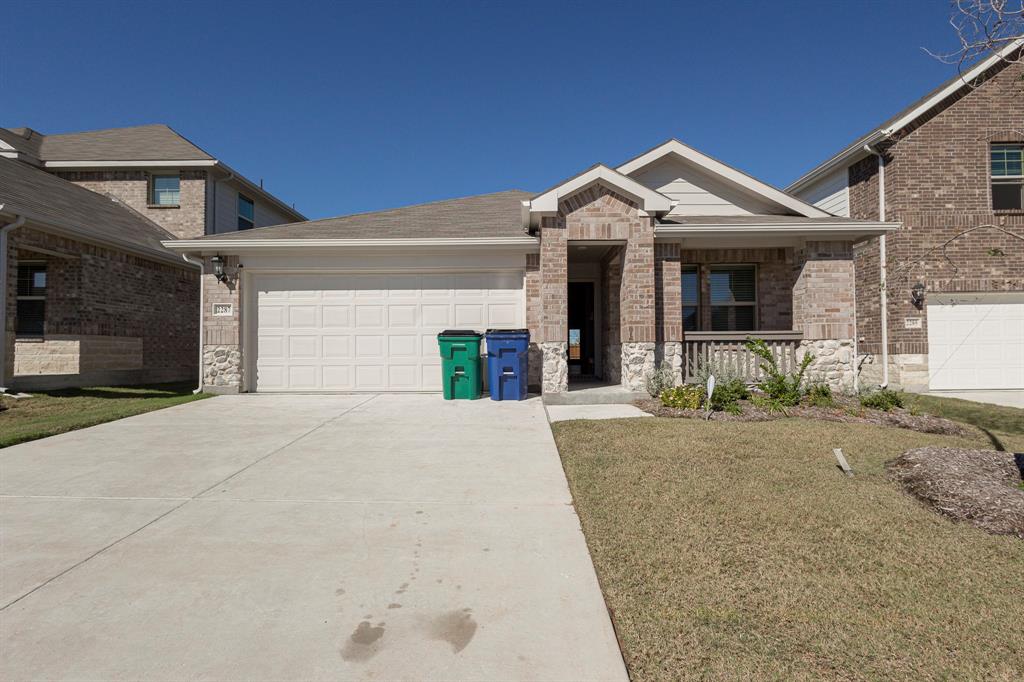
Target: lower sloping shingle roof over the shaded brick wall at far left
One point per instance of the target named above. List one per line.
(53, 201)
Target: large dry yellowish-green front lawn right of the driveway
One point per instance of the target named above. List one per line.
(739, 551)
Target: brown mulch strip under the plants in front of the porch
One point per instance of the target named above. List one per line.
(848, 411)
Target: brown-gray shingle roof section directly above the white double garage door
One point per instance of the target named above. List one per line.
(495, 216)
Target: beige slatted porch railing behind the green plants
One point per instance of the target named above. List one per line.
(727, 352)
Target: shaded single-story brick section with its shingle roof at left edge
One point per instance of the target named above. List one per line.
(93, 297)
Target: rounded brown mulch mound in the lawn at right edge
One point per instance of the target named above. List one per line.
(979, 487)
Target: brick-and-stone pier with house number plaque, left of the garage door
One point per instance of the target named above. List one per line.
(223, 368)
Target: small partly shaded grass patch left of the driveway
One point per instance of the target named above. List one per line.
(49, 413)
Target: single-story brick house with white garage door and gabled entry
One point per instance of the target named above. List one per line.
(660, 261)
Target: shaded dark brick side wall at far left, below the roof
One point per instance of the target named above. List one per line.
(111, 316)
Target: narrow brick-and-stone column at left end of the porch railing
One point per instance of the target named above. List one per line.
(669, 310)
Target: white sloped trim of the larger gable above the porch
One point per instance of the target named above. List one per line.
(758, 193)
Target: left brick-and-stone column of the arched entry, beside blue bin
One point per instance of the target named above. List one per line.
(554, 302)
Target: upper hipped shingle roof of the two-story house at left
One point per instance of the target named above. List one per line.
(153, 143)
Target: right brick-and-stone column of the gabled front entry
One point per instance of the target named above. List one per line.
(637, 306)
